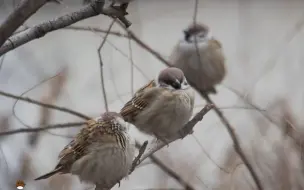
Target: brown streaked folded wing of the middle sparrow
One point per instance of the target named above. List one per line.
(138, 102)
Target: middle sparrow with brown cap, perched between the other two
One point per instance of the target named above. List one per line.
(161, 107)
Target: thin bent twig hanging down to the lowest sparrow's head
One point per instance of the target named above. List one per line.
(101, 66)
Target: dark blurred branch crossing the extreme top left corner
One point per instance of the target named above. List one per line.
(22, 12)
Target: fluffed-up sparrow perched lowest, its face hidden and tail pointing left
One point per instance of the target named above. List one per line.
(101, 153)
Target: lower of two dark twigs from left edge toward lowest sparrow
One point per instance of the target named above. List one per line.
(44, 128)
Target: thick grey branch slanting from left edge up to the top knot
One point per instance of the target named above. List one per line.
(38, 31)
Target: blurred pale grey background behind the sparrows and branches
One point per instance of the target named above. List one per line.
(263, 41)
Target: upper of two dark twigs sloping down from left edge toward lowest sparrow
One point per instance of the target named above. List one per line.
(63, 109)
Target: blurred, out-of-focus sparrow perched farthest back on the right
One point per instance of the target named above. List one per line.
(203, 66)
